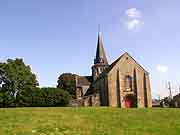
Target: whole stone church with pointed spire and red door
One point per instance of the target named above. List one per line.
(124, 83)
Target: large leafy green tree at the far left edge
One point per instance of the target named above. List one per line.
(16, 82)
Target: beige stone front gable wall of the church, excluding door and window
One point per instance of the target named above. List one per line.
(126, 67)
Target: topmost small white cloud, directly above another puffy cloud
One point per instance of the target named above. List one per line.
(133, 13)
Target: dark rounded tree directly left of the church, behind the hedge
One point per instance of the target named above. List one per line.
(67, 82)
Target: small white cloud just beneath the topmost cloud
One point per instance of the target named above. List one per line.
(133, 24)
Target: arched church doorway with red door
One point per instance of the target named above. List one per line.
(130, 101)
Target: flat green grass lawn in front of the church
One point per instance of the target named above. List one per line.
(89, 121)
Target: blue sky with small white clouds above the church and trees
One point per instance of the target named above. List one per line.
(55, 36)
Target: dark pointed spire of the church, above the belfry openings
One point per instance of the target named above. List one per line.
(100, 53)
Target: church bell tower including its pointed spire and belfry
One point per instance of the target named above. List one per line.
(100, 61)
